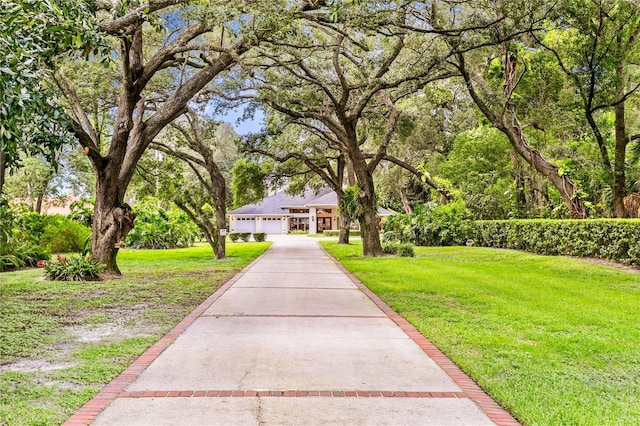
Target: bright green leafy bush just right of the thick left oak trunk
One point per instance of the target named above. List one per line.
(160, 228)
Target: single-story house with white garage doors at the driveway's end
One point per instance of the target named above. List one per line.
(312, 212)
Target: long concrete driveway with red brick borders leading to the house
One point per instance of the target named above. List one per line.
(293, 340)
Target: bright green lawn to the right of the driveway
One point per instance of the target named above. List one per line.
(555, 340)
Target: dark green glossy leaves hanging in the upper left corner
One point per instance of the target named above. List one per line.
(33, 34)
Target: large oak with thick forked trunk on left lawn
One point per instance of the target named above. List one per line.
(186, 45)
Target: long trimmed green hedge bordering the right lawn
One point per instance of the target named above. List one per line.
(617, 240)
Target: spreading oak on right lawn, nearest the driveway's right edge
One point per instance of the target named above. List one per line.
(342, 82)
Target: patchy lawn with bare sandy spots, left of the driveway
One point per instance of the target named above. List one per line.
(61, 342)
